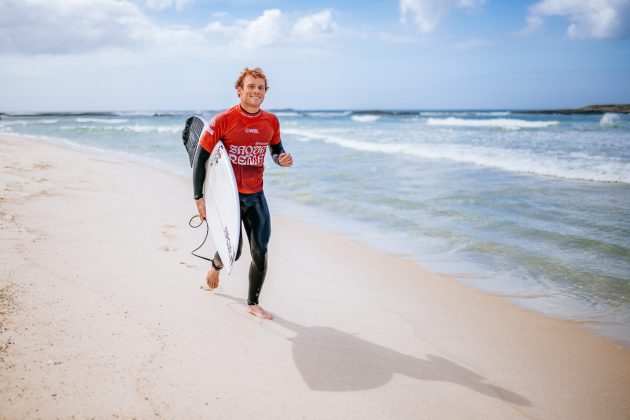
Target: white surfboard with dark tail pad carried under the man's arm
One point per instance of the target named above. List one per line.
(220, 192)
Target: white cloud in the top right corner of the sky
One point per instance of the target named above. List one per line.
(587, 18)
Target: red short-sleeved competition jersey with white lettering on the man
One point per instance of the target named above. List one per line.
(246, 137)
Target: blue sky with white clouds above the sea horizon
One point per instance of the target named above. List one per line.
(117, 55)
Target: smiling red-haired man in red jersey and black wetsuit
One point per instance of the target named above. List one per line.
(247, 131)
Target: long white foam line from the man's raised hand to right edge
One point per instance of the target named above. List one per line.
(589, 168)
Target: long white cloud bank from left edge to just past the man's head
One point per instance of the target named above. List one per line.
(29, 27)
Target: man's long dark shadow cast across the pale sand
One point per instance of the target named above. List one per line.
(332, 360)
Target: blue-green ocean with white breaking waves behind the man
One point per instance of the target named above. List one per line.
(532, 207)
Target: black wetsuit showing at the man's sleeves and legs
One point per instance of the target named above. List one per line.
(255, 218)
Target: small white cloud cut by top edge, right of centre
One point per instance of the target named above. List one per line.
(426, 14)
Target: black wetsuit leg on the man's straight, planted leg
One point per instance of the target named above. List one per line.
(257, 223)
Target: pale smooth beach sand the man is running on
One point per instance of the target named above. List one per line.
(104, 313)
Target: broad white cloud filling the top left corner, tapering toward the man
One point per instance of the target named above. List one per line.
(79, 26)
